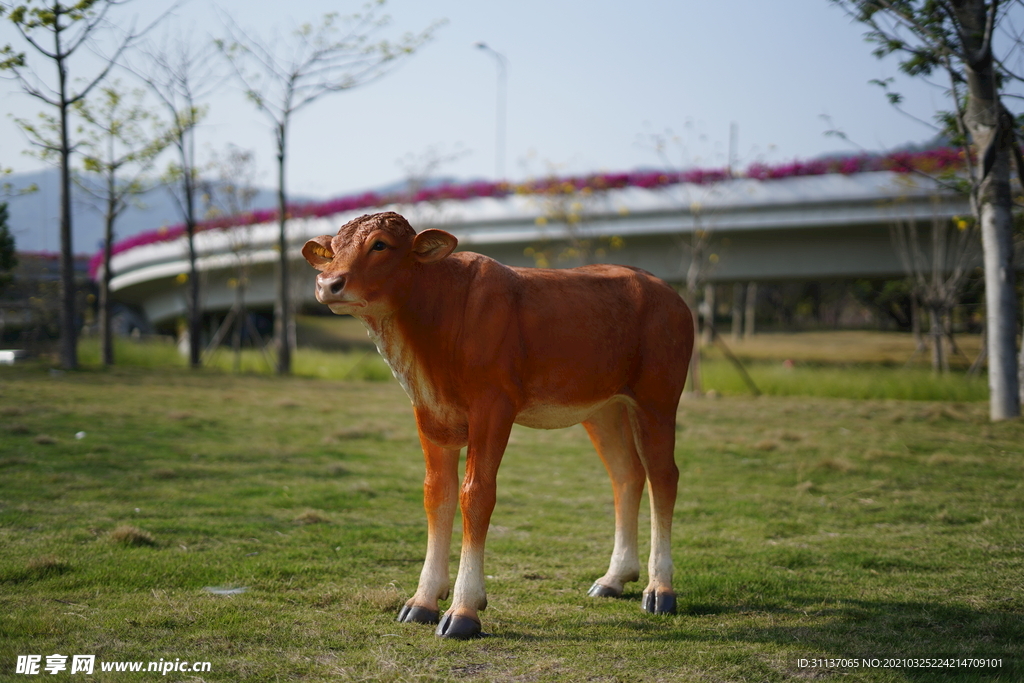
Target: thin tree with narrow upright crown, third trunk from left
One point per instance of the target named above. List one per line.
(182, 74)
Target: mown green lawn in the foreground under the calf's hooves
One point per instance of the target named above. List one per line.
(806, 528)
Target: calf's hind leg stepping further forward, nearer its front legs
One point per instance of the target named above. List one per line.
(611, 433)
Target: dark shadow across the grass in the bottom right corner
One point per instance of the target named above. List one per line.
(816, 628)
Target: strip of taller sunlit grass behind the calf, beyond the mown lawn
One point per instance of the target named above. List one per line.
(838, 365)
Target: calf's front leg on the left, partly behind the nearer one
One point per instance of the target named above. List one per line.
(441, 491)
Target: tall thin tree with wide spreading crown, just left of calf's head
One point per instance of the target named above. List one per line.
(338, 55)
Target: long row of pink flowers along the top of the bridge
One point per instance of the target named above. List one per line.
(933, 161)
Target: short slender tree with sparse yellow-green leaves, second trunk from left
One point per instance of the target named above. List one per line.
(118, 148)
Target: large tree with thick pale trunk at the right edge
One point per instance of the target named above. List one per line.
(956, 38)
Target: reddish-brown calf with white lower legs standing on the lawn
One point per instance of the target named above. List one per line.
(480, 347)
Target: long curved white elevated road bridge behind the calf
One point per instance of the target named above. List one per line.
(817, 228)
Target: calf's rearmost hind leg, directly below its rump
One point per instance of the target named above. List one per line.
(655, 434)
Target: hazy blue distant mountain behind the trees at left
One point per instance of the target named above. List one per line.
(34, 219)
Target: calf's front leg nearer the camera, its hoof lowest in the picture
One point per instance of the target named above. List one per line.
(489, 436)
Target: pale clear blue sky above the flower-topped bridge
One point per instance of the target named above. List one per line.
(587, 80)
